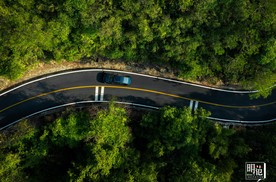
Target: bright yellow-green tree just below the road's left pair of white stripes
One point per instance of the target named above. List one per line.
(108, 136)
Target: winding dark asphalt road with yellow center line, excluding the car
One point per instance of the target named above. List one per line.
(82, 86)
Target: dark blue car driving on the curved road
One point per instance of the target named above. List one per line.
(116, 79)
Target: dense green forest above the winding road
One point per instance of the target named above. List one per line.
(231, 40)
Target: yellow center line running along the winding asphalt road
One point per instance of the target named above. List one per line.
(133, 88)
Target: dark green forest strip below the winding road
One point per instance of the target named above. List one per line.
(118, 145)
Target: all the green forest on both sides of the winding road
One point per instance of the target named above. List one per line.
(233, 41)
